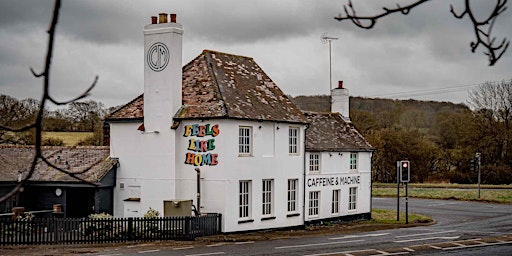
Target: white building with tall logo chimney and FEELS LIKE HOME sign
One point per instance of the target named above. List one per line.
(221, 115)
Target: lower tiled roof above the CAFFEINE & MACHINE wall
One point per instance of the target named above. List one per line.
(329, 132)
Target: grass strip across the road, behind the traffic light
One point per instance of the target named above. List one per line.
(488, 193)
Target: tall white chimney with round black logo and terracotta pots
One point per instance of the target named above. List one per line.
(162, 71)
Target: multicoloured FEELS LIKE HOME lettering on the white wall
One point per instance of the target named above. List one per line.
(199, 144)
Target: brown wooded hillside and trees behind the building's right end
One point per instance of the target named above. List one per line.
(439, 138)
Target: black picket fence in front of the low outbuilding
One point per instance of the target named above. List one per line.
(107, 230)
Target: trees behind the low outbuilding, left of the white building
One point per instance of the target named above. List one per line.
(79, 116)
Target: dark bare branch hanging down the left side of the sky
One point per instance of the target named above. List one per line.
(37, 124)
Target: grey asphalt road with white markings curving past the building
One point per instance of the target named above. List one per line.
(462, 228)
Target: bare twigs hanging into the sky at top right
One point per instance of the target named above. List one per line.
(482, 28)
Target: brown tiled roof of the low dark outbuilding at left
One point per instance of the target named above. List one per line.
(16, 158)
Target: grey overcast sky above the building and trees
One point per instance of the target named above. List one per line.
(426, 52)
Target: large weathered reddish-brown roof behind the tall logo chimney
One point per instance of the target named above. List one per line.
(220, 85)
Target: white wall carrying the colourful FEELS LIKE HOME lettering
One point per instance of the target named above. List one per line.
(220, 183)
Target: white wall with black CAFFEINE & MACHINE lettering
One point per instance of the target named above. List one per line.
(335, 174)
